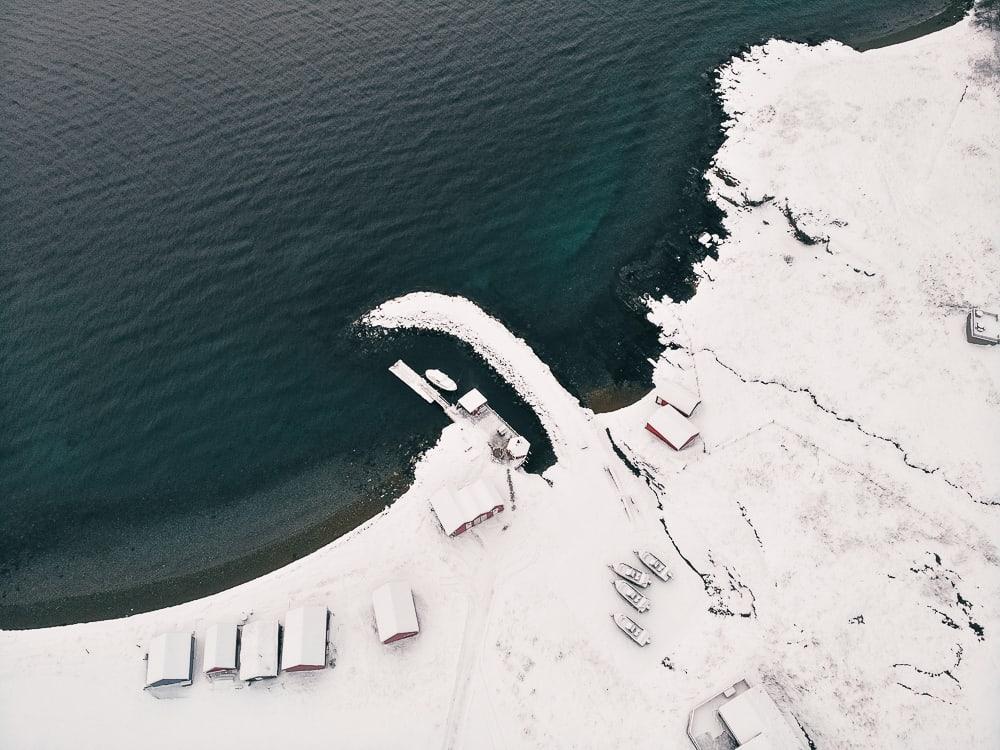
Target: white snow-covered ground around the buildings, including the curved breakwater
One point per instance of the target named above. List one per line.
(832, 535)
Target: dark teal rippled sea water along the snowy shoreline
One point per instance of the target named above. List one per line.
(199, 199)
